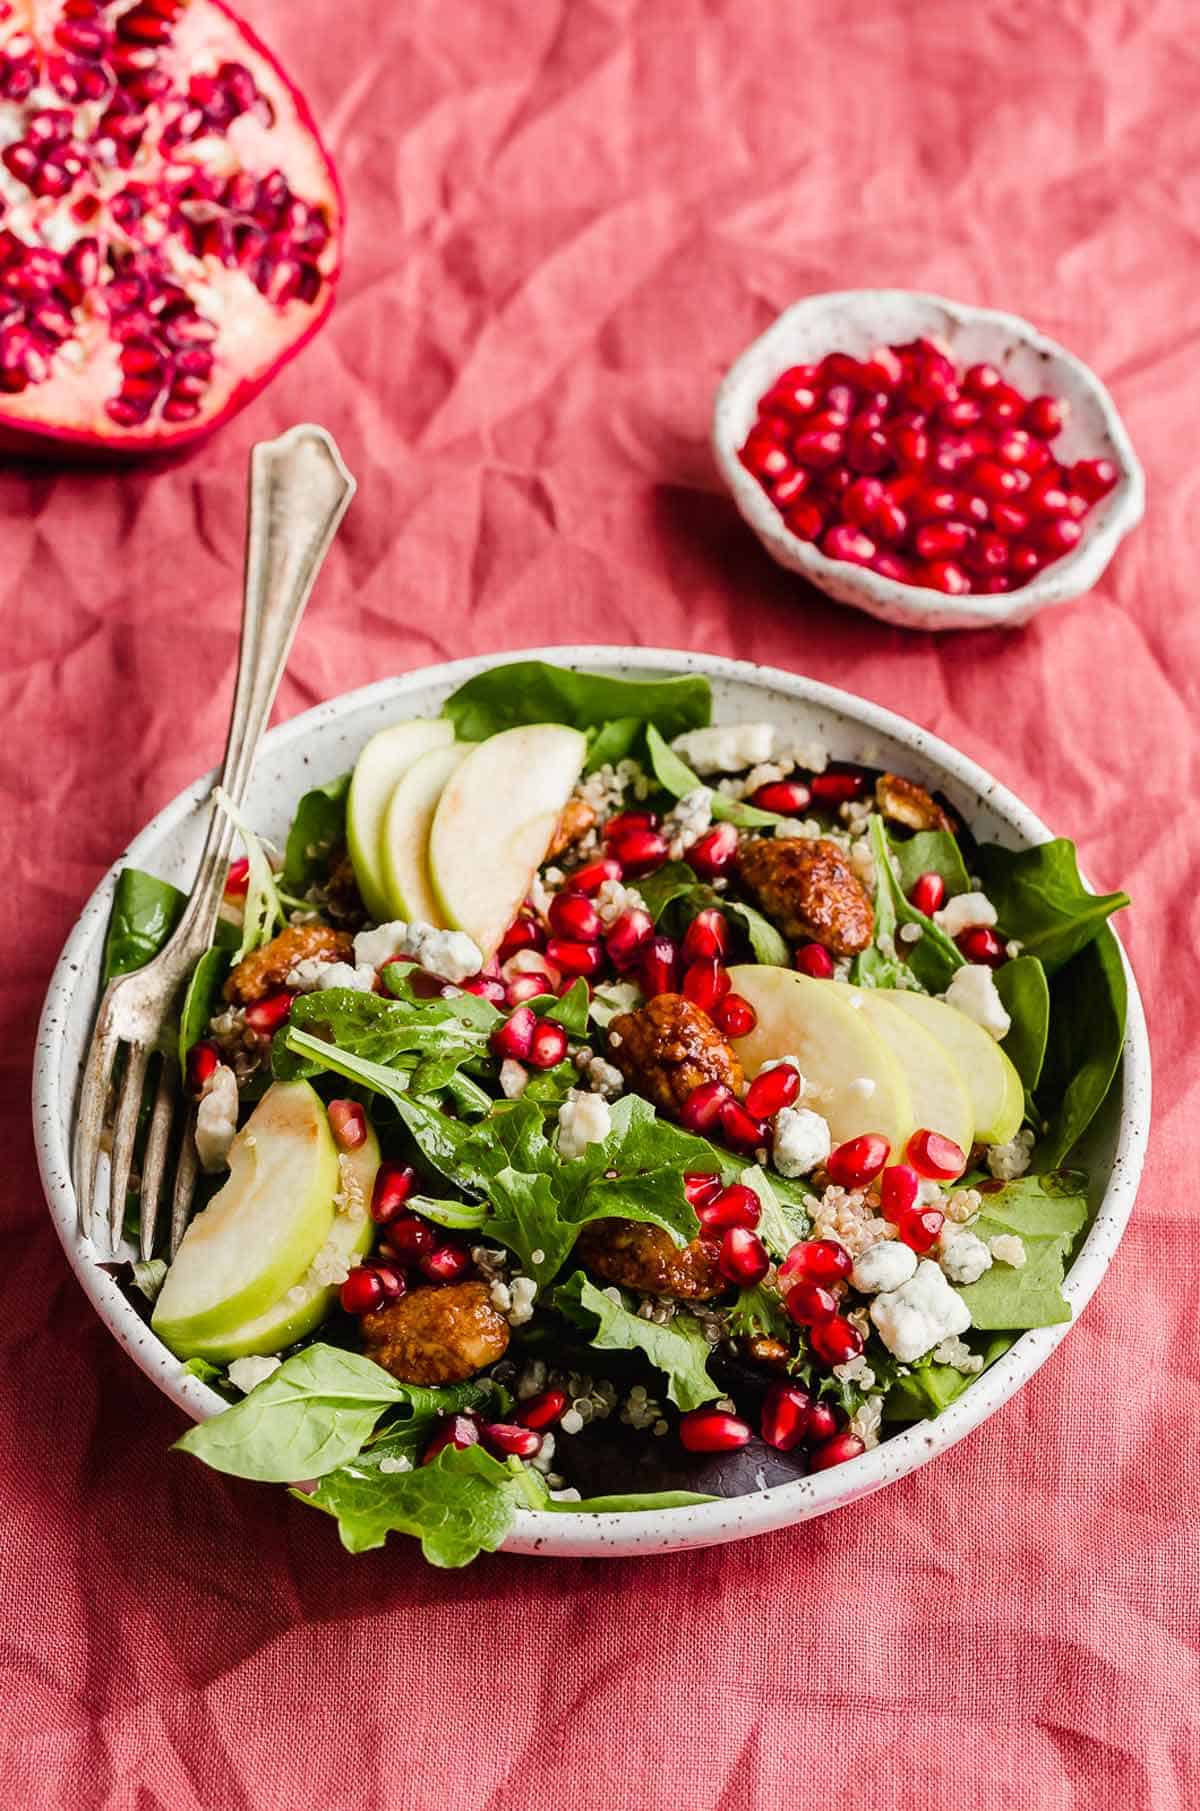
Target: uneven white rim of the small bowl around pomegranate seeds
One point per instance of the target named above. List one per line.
(915, 606)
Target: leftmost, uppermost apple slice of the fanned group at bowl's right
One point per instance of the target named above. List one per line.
(837, 1048)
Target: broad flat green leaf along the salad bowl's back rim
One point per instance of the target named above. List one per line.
(538, 693)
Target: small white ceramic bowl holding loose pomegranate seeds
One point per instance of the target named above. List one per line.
(857, 321)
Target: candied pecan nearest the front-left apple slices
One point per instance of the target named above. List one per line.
(437, 1336)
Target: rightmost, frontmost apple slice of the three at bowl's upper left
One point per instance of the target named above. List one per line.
(495, 823)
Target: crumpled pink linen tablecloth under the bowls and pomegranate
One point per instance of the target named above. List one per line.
(567, 216)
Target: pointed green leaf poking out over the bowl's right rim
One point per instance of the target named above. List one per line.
(1042, 901)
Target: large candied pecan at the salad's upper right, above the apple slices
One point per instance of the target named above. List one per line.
(808, 886)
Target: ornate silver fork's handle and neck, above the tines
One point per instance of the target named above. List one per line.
(300, 492)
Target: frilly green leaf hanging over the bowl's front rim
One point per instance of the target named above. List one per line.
(459, 1506)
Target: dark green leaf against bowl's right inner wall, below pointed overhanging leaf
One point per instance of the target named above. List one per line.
(1083, 1051)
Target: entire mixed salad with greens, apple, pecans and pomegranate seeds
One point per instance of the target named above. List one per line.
(605, 1109)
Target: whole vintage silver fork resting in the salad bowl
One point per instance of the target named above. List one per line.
(300, 492)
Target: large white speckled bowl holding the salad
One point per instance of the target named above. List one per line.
(327, 742)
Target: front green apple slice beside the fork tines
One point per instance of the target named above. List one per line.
(262, 1231)
